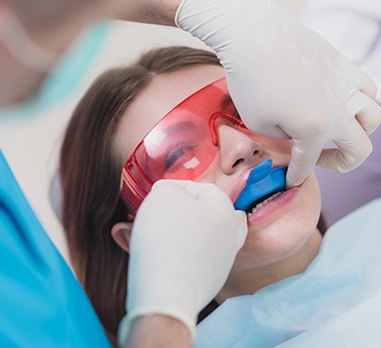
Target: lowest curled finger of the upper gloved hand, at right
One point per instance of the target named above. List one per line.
(351, 152)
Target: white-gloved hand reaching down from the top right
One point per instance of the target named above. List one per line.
(286, 81)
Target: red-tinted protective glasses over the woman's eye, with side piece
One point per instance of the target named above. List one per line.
(178, 147)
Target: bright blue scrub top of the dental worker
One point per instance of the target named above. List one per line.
(41, 302)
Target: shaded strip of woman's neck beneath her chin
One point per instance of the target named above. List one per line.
(248, 282)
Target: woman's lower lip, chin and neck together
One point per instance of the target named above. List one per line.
(282, 240)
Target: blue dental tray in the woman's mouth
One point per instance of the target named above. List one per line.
(262, 181)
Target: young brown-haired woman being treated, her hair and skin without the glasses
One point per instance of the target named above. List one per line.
(113, 117)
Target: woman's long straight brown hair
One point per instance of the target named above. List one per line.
(90, 176)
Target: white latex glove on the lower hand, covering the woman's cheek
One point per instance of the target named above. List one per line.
(184, 241)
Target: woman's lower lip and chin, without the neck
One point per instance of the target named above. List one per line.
(281, 228)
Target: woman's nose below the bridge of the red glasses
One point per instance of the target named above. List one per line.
(238, 148)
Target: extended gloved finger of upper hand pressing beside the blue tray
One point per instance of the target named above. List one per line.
(304, 155)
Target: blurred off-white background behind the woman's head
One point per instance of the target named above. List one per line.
(32, 145)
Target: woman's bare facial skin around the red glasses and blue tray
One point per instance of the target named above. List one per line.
(278, 229)
